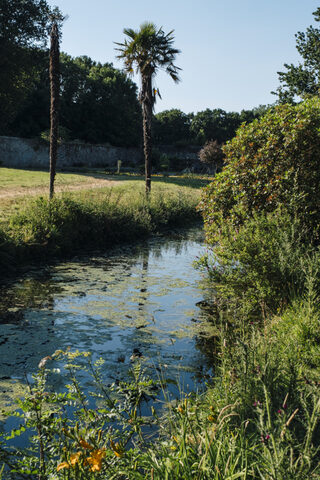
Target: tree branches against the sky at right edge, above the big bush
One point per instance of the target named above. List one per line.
(303, 79)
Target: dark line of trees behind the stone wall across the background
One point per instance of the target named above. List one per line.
(98, 103)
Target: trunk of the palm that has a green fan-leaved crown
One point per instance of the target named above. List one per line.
(147, 100)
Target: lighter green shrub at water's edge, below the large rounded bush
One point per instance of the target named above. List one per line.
(260, 266)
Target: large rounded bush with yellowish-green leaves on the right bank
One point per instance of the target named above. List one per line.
(269, 162)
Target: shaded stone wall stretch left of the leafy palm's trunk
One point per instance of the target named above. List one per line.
(34, 153)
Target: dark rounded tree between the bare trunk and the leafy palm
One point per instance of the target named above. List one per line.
(99, 103)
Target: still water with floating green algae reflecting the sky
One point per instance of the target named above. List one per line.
(142, 298)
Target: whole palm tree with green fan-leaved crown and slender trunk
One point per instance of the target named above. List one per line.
(148, 50)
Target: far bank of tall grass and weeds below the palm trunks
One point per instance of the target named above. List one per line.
(77, 221)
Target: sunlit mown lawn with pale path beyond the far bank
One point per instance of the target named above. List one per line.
(18, 187)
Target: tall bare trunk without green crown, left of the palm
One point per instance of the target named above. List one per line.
(54, 105)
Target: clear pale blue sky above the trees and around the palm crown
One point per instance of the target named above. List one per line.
(231, 50)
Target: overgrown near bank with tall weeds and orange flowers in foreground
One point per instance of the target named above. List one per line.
(259, 417)
